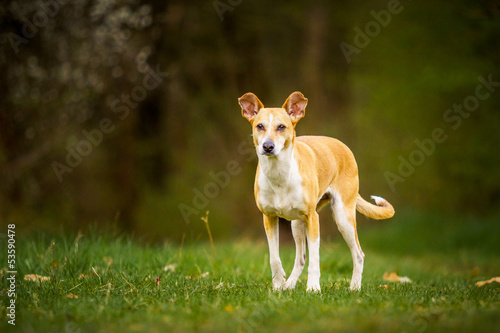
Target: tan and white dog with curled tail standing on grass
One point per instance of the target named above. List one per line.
(296, 177)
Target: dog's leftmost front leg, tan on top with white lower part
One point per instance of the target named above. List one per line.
(271, 224)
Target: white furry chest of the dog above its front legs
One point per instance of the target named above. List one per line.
(281, 192)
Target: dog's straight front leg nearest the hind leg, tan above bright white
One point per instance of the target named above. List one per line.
(312, 231)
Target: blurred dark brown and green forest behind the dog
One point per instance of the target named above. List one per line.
(94, 130)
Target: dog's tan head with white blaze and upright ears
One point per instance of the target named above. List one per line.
(273, 129)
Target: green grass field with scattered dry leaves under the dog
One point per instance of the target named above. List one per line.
(106, 283)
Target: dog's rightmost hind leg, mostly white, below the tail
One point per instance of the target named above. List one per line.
(345, 217)
